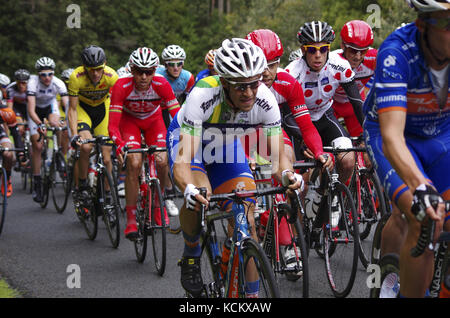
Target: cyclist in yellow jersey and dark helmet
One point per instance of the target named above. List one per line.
(89, 87)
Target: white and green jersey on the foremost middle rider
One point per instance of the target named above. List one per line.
(206, 108)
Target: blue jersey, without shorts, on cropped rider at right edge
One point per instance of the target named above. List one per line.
(403, 82)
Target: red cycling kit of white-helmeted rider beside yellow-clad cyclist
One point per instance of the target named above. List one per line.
(143, 107)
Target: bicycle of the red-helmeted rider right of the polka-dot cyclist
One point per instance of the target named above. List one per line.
(368, 196)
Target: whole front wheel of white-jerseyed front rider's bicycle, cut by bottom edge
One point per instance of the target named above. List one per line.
(256, 277)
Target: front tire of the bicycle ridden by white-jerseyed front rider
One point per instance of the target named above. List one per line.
(254, 256)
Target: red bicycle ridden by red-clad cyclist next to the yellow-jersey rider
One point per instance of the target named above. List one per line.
(150, 212)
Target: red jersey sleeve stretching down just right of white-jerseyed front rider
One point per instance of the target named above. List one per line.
(288, 90)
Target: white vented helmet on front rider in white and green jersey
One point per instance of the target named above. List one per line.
(239, 58)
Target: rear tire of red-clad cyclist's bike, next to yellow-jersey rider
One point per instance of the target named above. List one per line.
(142, 219)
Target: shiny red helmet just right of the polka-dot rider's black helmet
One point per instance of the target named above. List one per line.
(358, 33)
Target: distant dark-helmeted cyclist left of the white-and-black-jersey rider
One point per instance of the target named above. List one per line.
(17, 100)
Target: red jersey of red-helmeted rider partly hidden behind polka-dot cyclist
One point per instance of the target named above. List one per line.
(341, 104)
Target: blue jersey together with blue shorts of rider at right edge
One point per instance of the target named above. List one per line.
(403, 82)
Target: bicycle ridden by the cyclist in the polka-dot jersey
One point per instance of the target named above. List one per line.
(338, 240)
